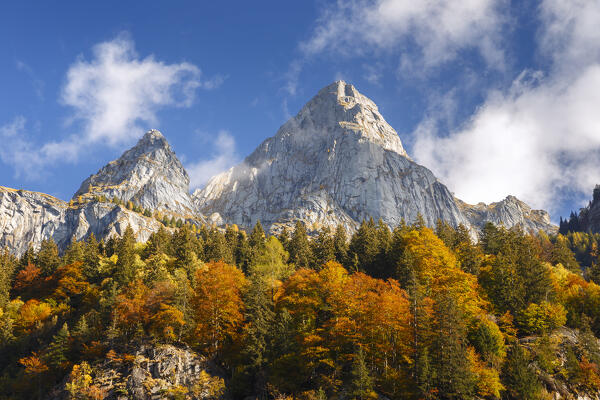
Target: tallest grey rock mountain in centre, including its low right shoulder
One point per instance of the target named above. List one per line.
(339, 161)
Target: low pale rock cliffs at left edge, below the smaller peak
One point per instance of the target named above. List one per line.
(27, 218)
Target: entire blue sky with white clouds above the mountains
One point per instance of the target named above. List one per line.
(496, 97)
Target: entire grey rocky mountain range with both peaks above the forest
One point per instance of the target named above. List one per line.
(336, 162)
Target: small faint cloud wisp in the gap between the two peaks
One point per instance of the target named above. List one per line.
(225, 156)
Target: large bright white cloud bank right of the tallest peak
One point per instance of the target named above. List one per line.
(541, 137)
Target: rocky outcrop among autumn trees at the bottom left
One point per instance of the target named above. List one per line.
(155, 372)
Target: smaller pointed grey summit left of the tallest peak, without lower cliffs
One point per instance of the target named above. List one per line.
(149, 174)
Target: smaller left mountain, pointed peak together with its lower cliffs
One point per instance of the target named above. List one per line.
(149, 175)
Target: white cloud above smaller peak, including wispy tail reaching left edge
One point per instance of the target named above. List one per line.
(114, 97)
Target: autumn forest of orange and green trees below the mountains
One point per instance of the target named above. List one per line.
(408, 313)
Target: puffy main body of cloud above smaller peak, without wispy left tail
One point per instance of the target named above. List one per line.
(116, 91)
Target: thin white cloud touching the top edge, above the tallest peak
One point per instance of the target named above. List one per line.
(439, 28)
